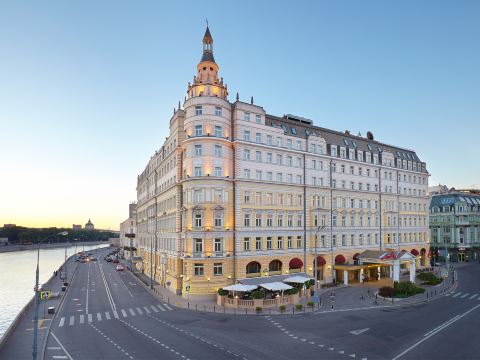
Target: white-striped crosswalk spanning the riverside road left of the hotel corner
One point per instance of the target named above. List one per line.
(107, 315)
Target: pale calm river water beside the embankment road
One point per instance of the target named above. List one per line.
(17, 277)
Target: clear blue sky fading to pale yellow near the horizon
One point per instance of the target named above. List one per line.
(87, 88)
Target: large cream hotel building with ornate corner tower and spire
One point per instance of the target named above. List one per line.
(235, 192)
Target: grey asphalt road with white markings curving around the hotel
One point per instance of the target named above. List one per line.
(110, 315)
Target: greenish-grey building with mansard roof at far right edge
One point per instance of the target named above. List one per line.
(455, 224)
